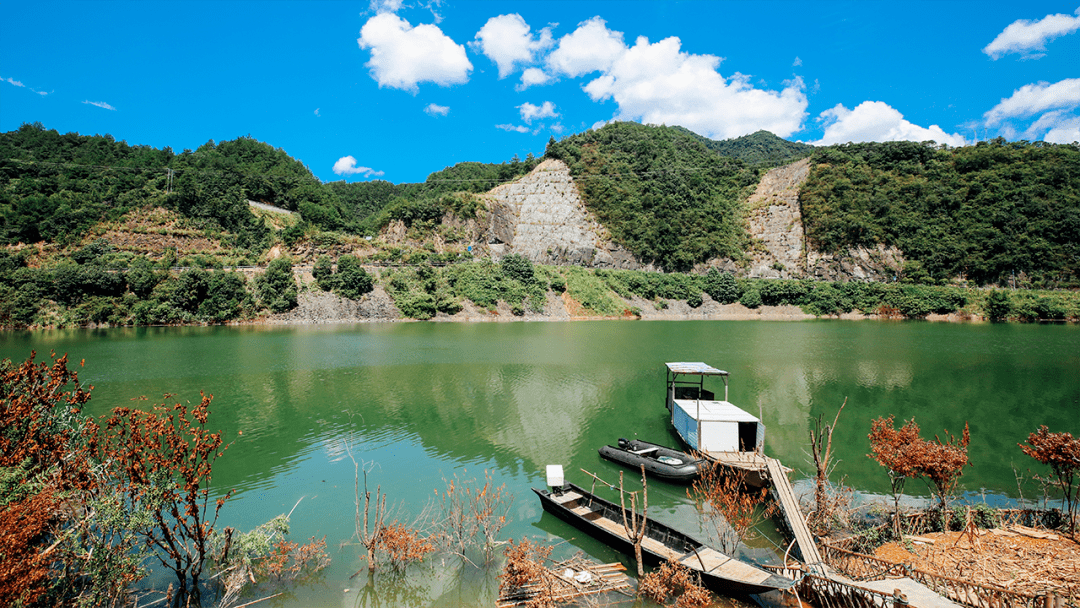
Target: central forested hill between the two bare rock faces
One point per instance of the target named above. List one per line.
(661, 192)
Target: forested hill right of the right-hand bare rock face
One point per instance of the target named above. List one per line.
(994, 213)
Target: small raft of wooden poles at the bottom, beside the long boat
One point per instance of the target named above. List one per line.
(586, 578)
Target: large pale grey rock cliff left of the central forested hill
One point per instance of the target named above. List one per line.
(542, 218)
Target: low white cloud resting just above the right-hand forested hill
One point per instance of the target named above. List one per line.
(877, 121)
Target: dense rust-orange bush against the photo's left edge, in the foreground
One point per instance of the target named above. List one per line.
(62, 537)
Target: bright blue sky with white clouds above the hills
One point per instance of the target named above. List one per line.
(398, 90)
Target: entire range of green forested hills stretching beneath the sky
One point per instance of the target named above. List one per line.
(994, 213)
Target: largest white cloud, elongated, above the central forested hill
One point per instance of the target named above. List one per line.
(660, 85)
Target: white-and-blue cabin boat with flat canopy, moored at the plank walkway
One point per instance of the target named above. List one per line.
(704, 423)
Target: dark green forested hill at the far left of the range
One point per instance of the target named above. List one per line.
(56, 187)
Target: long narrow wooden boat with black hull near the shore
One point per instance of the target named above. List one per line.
(602, 519)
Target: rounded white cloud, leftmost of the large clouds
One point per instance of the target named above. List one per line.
(403, 57)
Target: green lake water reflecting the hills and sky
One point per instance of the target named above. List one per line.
(422, 403)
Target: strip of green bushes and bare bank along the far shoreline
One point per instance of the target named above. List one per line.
(145, 294)
